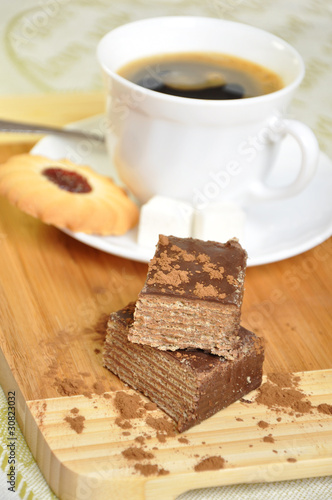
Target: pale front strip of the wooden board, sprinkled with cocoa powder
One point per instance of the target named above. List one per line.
(90, 464)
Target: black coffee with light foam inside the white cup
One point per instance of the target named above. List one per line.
(202, 76)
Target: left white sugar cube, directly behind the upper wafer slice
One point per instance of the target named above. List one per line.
(163, 215)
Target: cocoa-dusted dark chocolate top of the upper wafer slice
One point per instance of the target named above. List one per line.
(196, 269)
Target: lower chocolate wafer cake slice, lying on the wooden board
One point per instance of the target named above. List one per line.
(189, 386)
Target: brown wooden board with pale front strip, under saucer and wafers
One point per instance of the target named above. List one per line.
(55, 294)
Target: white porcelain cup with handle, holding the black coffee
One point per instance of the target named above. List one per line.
(192, 148)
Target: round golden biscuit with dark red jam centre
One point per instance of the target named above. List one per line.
(67, 195)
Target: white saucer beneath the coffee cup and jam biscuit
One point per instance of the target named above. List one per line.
(274, 231)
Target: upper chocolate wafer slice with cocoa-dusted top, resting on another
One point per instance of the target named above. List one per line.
(192, 296)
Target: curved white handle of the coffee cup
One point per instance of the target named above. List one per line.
(308, 143)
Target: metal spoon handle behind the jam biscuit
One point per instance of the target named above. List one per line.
(28, 128)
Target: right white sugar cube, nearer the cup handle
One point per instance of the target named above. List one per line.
(219, 221)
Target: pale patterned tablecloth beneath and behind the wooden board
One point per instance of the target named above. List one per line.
(49, 46)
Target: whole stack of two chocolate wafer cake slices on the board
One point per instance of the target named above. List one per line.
(181, 343)
